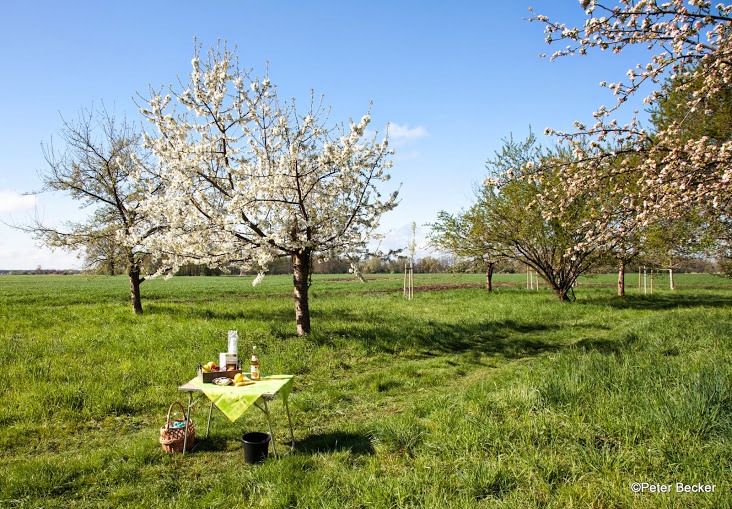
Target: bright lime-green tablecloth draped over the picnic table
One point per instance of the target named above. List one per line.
(234, 401)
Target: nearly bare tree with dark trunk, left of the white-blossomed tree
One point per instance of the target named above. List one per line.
(95, 167)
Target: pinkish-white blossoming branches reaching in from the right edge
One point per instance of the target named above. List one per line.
(670, 174)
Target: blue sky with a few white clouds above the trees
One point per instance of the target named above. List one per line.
(453, 78)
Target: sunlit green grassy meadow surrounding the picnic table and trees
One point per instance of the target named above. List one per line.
(458, 398)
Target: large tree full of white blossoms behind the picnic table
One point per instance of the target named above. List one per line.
(248, 178)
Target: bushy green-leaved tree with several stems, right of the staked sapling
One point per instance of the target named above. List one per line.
(509, 220)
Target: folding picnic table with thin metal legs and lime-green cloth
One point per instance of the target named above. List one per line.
(234, 401)
